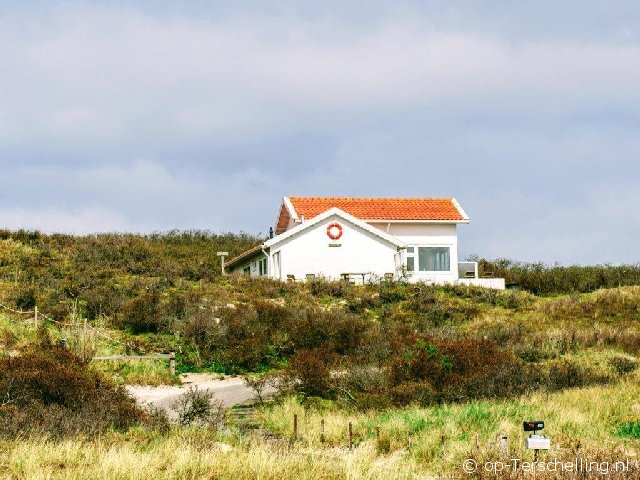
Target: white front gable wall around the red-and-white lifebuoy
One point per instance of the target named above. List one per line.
(359, 251)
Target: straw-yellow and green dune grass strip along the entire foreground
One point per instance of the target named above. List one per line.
(594, 419)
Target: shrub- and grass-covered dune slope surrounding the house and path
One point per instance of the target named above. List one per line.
(408, 365)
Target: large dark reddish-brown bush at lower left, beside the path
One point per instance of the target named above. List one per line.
(48, 390)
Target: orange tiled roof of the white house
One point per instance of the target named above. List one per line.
(380, 208)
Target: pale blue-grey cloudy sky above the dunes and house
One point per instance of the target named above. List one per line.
(156, 115)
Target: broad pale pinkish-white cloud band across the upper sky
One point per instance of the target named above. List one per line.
(120, 74)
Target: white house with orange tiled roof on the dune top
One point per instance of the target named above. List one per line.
(363, 239)
